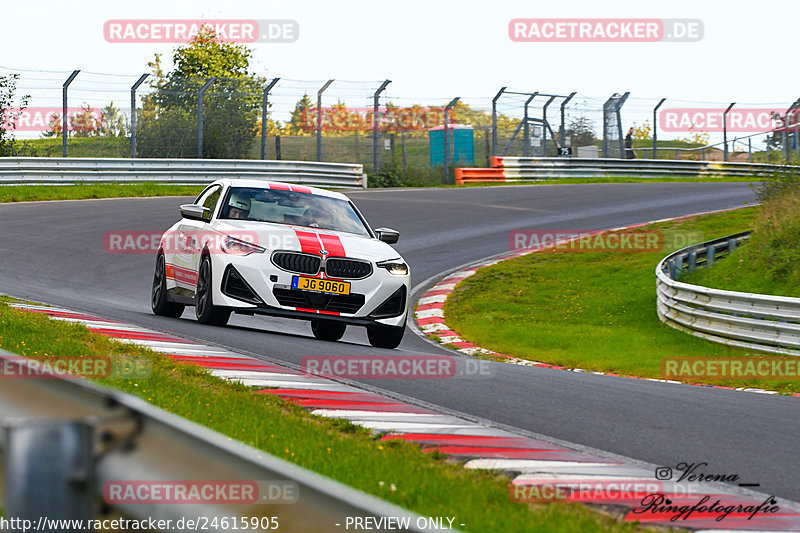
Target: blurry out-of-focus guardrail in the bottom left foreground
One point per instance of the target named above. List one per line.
(64, 440)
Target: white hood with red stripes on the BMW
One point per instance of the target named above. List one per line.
(309, 240)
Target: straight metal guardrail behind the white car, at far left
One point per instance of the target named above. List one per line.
(61, 171)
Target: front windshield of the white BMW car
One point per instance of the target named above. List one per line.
(293, 208)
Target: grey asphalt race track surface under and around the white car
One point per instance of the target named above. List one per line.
(53, 252)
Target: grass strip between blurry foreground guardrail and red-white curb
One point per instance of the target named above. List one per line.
(426, 483)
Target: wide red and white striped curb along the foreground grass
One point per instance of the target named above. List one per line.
(530, 462)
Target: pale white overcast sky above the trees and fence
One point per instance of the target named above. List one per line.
(434, 50)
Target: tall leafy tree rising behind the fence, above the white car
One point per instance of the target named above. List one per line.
(232, 103)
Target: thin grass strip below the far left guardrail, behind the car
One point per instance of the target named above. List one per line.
(30, 193)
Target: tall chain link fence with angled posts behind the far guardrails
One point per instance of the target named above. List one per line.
(395, 135)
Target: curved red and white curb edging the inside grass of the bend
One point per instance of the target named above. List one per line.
(431, 322)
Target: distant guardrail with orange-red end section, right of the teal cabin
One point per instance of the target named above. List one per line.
(510, 169)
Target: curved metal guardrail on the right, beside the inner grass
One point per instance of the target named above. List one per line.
(753, 321)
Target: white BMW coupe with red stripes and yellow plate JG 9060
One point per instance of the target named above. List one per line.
(271, 248)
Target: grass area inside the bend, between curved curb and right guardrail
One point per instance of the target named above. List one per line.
(595, 311)
